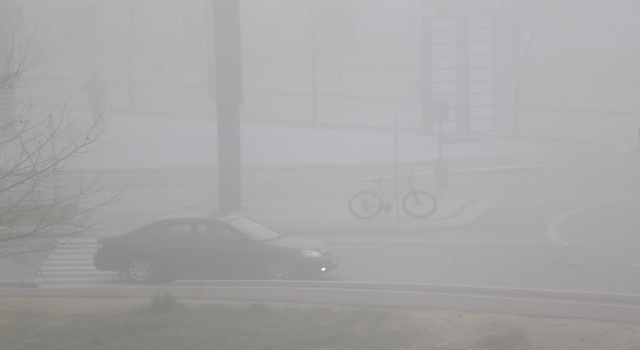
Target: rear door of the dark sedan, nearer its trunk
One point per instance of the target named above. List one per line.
(175, 248)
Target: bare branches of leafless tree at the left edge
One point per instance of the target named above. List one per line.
(40, 199)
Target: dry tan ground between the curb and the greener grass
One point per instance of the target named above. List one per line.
(419, 329)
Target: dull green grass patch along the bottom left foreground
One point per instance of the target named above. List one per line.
(165, 323)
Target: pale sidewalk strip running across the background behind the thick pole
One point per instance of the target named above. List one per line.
(139, 142)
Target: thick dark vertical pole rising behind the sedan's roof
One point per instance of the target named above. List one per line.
(228, 95)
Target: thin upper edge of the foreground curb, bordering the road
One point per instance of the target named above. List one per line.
(196, 289)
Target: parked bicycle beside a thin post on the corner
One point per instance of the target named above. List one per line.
(367, 204)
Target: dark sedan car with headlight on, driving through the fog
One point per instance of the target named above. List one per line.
(212, 245)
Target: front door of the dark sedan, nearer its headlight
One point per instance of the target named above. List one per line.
(222, 252)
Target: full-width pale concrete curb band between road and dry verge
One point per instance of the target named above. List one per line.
(512, 301)
